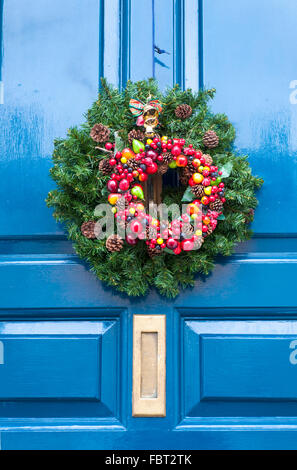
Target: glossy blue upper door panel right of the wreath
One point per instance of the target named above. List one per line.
(248, 58)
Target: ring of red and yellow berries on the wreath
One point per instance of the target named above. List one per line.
(130, 170)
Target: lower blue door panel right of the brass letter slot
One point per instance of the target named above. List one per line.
(240, 371)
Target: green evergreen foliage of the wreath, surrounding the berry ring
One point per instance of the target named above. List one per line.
(81, 187)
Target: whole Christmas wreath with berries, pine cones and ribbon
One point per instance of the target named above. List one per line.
(128, 138)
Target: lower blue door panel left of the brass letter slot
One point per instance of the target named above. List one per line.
(60, 369)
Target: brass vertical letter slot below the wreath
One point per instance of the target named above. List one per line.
(149, 365)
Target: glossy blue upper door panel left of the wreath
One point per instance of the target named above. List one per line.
(50, 76)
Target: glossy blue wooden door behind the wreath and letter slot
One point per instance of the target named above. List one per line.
(65, 339)
